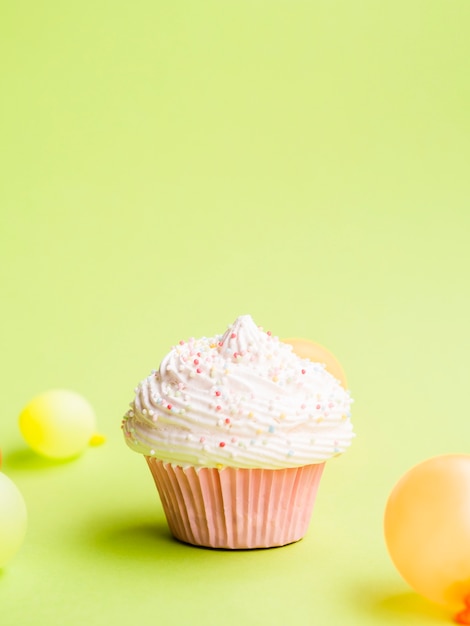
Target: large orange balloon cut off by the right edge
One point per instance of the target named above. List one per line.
(427, 530)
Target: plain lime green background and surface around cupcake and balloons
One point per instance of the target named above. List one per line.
(168, 166)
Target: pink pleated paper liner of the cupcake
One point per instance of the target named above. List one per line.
(237, 508)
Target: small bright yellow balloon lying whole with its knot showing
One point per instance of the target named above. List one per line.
(58, 424)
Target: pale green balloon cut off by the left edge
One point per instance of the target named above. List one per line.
(13, 519)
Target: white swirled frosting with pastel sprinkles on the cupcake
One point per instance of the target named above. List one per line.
(242, 399)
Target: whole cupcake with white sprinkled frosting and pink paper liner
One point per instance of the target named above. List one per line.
(236, 430)
